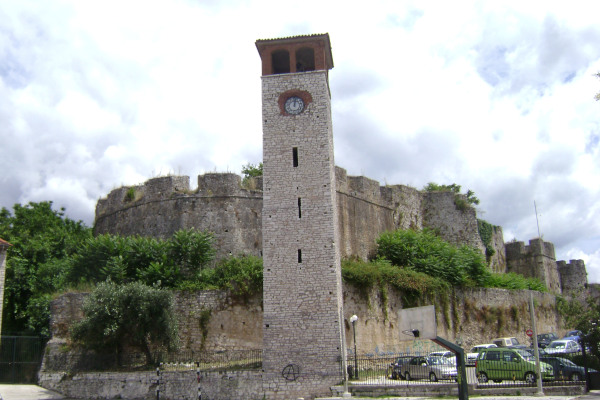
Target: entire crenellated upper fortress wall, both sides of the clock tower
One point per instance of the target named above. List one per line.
(220, 204)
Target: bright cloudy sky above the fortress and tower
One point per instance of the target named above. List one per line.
(495, 96)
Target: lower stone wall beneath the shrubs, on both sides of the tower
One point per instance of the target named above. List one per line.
(473, 316)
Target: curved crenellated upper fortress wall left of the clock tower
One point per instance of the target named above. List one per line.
(162, 206)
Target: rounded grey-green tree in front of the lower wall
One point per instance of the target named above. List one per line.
(130, 315)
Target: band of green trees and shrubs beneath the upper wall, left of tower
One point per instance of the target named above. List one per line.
(53, 254)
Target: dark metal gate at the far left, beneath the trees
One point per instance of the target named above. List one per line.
(20, 358)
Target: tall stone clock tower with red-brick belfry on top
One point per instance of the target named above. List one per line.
(303, 335)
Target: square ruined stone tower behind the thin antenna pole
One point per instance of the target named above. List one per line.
(536, 261)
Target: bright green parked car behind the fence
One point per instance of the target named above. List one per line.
(500, 364)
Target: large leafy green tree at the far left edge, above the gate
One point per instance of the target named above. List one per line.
(43, 241)
